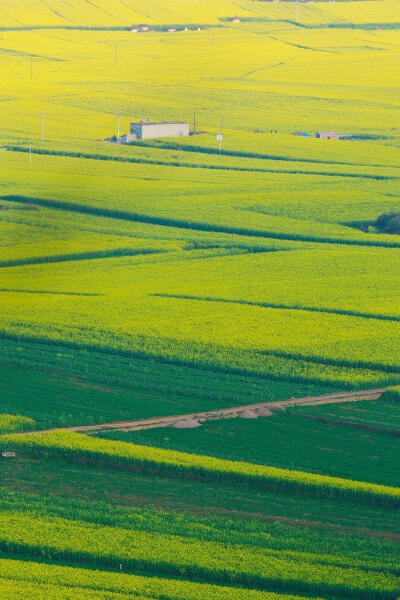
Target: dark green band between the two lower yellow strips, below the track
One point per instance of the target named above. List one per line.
(43, 480)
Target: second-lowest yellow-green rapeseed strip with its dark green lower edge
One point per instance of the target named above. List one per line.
(191, 558)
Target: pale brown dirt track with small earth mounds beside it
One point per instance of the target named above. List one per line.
(212, 415)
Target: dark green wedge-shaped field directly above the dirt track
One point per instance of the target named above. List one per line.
(85, 388)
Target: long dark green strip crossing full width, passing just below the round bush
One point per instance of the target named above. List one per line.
(191, 225)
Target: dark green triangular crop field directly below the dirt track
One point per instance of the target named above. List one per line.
(311, 439)
